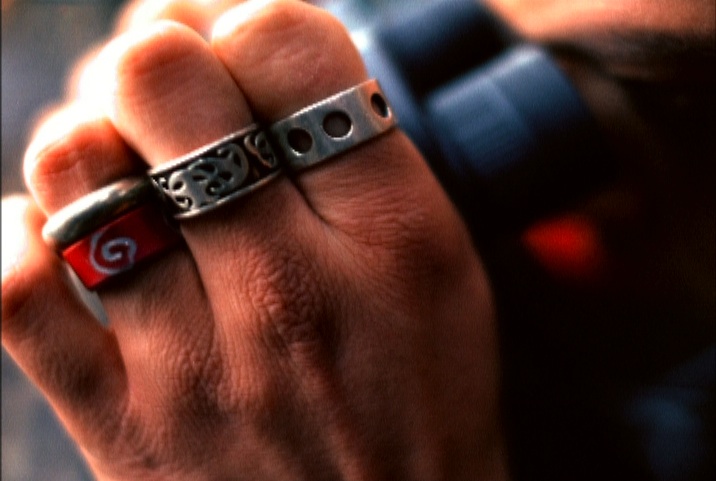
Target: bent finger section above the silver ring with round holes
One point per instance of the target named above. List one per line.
(289, 36)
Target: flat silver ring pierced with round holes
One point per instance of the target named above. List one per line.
(333, 125)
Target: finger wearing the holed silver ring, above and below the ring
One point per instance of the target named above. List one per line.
(287, 55)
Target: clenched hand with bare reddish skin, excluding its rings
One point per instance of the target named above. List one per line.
(336, 324)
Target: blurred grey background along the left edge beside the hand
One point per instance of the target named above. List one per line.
(40, 41)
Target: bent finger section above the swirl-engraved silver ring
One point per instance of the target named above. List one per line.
(161, 83)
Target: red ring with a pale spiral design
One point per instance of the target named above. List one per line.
(120, 245)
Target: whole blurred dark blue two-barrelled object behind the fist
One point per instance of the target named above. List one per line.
(499, 122)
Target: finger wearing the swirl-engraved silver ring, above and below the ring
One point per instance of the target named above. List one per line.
(256, 255)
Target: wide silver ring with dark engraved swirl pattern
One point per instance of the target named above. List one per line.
(217, 173)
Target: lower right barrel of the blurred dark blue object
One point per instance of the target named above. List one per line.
(516, 128)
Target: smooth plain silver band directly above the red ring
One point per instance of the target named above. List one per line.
(94, 210)
